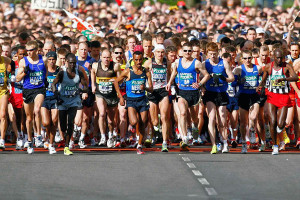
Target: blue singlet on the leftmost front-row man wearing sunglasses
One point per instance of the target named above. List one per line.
(36, 76)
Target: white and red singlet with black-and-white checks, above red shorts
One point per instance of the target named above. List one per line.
(279, 87)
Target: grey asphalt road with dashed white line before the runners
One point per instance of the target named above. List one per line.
(156, 175)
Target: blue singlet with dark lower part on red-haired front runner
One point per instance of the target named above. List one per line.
(218, 69)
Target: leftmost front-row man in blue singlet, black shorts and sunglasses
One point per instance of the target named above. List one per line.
(32, 71)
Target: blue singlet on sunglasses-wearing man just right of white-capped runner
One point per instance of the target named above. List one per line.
(186, 77)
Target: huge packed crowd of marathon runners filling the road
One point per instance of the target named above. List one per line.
(225, 75)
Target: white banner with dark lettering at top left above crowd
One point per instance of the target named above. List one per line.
(47, 4)
